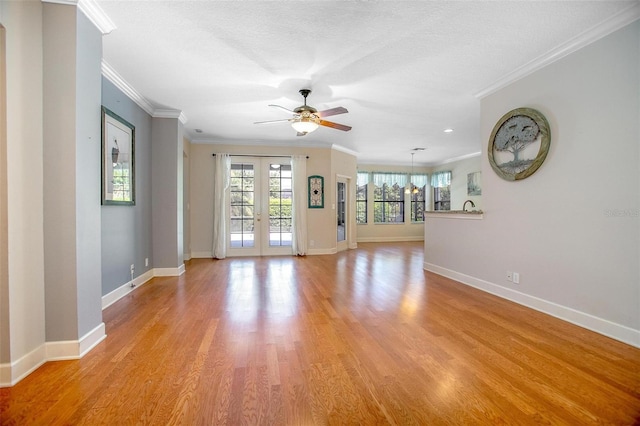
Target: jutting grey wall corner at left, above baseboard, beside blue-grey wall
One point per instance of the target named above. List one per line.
(72, 56)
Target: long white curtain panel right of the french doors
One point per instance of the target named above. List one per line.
(299, 207)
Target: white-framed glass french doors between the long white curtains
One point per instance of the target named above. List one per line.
(260, 207)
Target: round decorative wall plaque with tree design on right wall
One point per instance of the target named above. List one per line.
(519, 143)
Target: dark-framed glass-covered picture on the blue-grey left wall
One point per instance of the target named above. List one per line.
(118, 160)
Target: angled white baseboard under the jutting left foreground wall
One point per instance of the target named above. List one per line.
(12, 373)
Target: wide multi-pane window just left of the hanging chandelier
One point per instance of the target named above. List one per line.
(388, 198)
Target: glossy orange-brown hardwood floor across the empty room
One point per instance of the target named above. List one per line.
(363, 337)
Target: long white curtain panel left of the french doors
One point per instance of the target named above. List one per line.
(220, 185)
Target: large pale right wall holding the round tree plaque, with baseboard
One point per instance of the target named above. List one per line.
(571, 229)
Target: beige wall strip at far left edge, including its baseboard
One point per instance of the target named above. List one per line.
(25, 333)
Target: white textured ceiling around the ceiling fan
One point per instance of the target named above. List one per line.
(405, 70)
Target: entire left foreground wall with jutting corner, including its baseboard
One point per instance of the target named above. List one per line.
(53, 260)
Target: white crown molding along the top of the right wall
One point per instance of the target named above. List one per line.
(615, 22)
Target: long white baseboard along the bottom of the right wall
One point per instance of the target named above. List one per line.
(599, 325)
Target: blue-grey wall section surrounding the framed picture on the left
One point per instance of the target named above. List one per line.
(126, 230)
